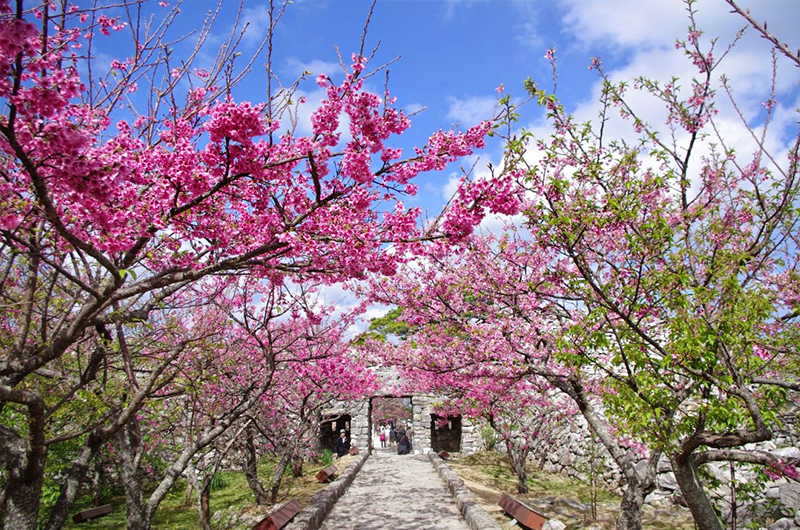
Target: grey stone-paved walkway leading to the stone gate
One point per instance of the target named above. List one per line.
(401, 492)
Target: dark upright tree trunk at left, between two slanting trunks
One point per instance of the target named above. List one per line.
(129, 447)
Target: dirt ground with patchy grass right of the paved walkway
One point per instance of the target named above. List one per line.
(488, 476)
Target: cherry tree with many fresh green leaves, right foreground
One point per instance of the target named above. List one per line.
(683, 255)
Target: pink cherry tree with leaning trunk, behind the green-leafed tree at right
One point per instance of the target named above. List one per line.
(493, 318)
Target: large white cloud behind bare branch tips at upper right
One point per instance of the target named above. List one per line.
(647, 31)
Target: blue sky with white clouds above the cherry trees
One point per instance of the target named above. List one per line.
(454, 53)
